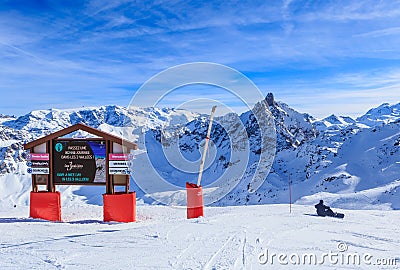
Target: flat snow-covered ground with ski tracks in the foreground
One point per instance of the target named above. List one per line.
(238, 237)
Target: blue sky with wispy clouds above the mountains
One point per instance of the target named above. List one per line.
(320, 57)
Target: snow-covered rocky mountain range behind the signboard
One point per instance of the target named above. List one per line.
(350, 163)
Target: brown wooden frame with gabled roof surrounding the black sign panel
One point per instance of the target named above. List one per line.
(45, 145)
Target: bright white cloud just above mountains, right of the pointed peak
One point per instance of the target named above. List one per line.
(355, 96)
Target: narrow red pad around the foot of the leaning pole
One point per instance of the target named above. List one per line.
(195, 203)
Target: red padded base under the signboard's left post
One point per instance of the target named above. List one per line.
(45, 205)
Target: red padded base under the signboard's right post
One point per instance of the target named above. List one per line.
(120, 207)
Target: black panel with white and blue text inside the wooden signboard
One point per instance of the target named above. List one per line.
(79, 162)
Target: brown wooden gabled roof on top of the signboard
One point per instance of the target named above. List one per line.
(83, 127)
